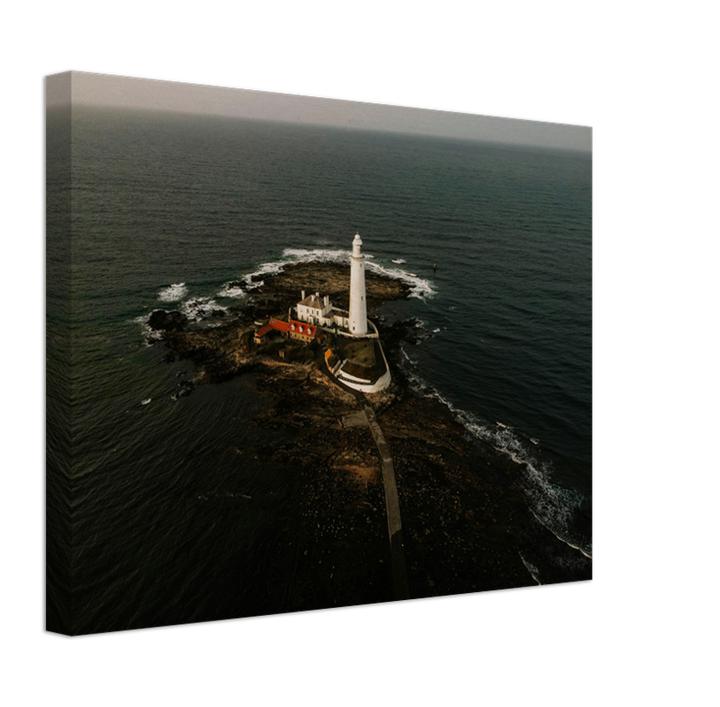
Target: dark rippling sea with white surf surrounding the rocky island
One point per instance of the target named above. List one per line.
(157, 506)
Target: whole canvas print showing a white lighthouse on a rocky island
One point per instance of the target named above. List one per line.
(307, 353)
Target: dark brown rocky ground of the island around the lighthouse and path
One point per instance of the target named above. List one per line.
(466, 524)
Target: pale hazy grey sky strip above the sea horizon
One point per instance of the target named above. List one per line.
(132, 92)
